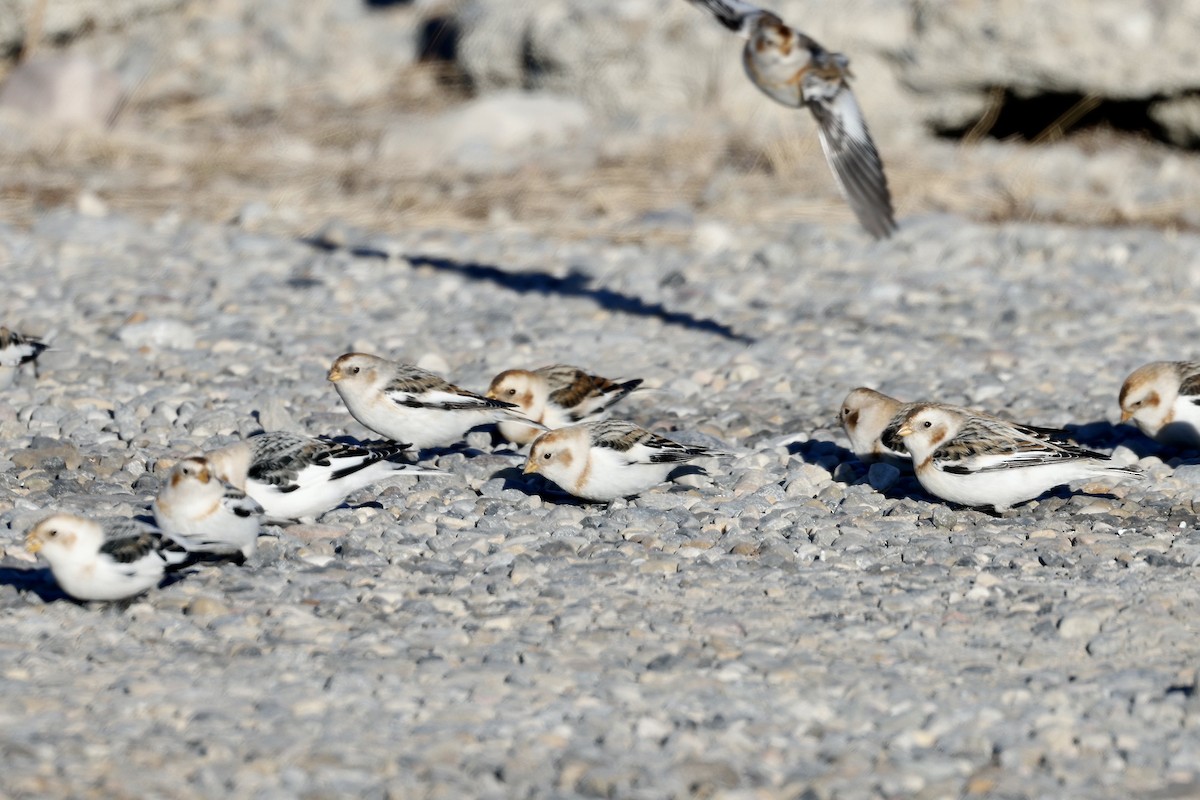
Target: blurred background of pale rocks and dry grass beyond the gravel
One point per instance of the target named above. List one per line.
(622, 118)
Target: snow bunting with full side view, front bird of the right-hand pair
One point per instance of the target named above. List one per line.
(980, 461)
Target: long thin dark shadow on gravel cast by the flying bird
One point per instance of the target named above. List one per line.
(574, 285)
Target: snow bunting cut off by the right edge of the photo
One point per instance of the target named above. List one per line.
(1163, 399)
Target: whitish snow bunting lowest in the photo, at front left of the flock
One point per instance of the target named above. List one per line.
(115, 561)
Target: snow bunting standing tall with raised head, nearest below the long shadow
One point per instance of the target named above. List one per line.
(407, 404)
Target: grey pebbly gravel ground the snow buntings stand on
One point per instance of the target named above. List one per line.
(788, 625)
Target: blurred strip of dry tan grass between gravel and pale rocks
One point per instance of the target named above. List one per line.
(313, 165)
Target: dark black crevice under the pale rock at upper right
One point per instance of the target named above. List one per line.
(1051, 117)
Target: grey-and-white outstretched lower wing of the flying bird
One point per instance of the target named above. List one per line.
(848, 146)
